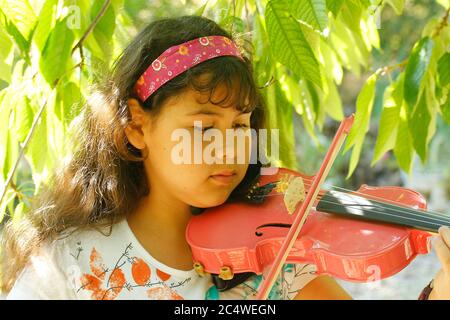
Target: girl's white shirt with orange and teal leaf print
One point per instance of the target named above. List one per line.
(90, 264)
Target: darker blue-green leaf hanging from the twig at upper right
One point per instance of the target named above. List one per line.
(415, 70)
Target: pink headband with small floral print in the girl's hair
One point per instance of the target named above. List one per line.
(177, 59)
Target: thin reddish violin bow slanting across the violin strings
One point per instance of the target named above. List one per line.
(305, 208)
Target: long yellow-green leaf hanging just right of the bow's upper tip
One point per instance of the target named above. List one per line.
(364, 104)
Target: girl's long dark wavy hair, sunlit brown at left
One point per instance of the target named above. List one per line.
(105, 178)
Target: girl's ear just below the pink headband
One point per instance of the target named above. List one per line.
(135, 128)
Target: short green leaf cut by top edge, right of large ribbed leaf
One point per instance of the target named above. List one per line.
(312, 12)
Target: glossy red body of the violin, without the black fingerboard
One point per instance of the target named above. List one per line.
(241, 237)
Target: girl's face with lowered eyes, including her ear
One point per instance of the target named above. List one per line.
(162, 137)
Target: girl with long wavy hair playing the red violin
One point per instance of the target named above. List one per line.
(112, 225)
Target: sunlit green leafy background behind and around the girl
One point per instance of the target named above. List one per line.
(318, 60)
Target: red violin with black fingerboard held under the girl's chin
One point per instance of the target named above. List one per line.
(360, 236)
